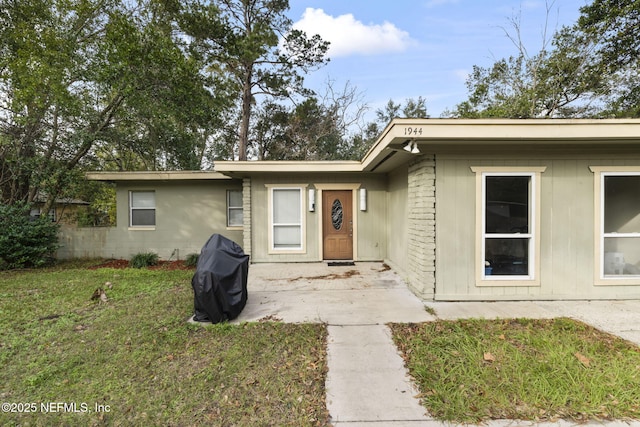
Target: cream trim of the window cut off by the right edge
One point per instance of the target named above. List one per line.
(600, 172)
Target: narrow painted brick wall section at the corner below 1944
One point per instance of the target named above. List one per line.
(421, 200)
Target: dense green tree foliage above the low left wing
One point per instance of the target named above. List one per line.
(96, 82)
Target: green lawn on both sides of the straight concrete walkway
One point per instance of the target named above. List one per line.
(134, 360)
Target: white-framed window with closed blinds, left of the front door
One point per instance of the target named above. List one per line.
(287, 219)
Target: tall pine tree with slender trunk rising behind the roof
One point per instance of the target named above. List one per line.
(252, 42)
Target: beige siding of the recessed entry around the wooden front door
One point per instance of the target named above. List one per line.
(371, 241)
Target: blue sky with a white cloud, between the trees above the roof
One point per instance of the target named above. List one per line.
(403, 49)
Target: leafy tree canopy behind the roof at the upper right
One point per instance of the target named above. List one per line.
(590, 70)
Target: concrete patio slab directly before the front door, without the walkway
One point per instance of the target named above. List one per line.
(364, 294)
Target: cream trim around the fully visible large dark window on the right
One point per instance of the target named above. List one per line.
(533, 278)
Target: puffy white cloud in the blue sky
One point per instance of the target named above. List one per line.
(349, 36)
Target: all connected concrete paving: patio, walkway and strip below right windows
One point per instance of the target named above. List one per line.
(367, 383)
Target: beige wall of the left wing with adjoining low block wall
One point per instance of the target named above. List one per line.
(187, 214)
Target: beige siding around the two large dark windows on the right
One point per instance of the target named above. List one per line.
(567, 228)
